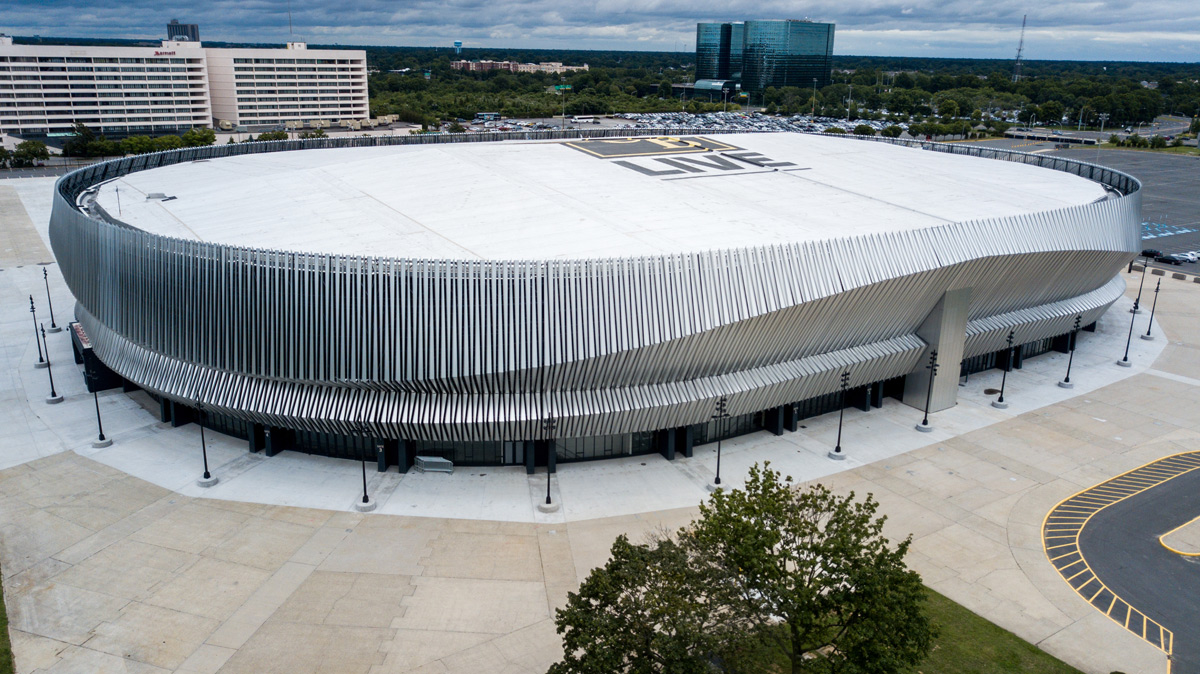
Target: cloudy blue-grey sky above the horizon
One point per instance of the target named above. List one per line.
(1143, 31)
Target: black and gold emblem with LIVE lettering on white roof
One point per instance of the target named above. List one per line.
(681, 158)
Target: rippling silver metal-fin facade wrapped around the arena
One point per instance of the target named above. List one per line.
(481, 351)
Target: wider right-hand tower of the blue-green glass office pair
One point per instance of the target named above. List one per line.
(787, 53)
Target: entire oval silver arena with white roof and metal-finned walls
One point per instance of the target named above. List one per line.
(556, 298)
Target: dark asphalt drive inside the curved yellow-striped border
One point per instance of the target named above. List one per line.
(1121, 546)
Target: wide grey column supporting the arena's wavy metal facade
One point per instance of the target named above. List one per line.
(945, 329)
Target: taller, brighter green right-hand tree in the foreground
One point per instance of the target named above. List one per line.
(812, 574)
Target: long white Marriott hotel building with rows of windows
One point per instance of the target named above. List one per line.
(179, 86)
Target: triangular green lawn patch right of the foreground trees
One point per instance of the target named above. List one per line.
(969, 645)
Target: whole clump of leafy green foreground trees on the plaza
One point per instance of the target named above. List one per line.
(770, 579)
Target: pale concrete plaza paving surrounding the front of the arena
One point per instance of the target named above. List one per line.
(109, 571)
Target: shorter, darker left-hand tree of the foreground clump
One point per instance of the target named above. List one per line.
(643, 612)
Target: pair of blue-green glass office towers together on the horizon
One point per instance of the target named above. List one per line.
(765, 53)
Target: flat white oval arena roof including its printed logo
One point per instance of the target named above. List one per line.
(580, 200)
